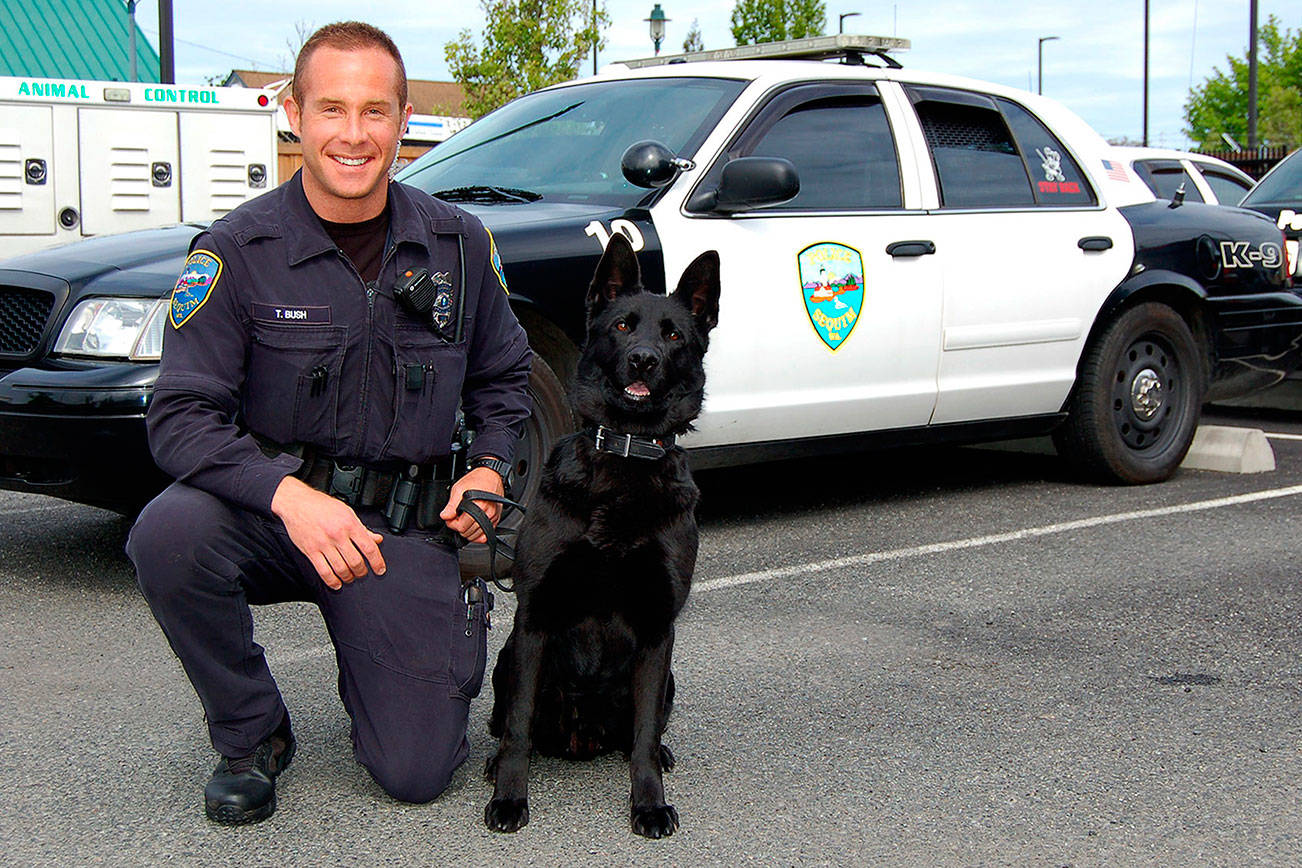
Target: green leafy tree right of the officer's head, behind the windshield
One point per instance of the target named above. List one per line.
(527, 45)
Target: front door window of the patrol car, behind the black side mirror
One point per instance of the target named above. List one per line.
(843, 152)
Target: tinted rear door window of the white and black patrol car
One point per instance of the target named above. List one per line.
(972, 149)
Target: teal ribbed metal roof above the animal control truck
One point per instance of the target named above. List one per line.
(74, 40)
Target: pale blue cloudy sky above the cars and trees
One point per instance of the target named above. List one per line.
(1096, 68)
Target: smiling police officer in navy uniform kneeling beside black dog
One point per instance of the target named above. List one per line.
(321, 340)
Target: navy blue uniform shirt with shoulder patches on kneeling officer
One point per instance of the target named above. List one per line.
(274, 332)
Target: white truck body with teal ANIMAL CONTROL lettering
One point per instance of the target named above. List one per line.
(85, 158)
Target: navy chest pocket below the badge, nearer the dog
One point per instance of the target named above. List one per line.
(429, 374)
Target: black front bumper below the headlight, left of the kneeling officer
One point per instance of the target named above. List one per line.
(80, 435)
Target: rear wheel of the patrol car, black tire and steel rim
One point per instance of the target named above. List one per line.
(1136, 404)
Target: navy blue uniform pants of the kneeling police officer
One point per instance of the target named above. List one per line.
(407, 670)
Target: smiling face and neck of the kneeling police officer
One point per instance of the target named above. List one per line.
(351, 124)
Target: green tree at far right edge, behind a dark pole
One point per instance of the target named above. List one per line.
(1221, 103)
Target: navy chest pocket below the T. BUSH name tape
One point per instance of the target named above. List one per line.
(294, 383)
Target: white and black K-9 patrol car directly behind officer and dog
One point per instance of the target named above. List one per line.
(906, 258)
